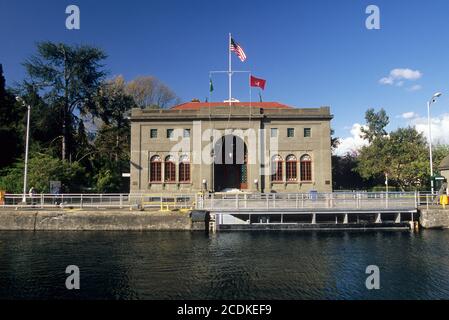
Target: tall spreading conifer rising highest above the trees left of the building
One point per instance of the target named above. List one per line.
(69, 76)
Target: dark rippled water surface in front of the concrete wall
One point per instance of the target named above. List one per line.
(257, 265)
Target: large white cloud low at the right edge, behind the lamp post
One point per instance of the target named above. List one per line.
(439, 124)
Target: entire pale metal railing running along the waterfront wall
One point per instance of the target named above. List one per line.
(228, 201)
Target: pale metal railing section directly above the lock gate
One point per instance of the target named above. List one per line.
(338, 201)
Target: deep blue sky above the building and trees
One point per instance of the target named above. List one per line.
(311, 53)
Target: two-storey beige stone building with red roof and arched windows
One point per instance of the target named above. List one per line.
(253, 147)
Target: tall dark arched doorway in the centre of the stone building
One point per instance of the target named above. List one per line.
(230, 163)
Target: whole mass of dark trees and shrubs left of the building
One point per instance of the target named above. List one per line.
(70, 100)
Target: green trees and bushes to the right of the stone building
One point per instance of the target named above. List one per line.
(402, 155)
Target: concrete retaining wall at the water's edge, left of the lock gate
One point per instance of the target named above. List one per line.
(93, 220)
